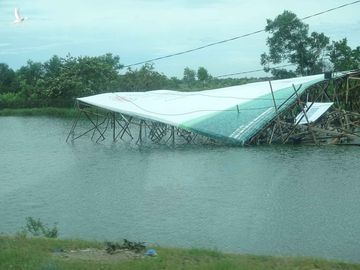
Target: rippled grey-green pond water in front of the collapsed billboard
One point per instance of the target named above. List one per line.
(268, 200)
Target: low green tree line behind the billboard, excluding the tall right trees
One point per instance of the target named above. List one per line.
(58, 81)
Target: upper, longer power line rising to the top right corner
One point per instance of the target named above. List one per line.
(235, 38)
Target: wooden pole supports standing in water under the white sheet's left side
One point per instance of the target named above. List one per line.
(128, 129)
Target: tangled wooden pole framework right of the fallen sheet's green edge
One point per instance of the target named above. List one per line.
(339, 125)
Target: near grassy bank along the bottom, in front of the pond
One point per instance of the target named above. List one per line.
(52, 254)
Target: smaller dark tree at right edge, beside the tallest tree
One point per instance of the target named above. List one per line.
(343, 57)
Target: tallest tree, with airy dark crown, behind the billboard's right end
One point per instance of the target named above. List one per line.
(290, 42)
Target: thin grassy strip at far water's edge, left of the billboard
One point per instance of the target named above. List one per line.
(47, 111)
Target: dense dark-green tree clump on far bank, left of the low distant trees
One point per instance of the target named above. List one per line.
(58, 81)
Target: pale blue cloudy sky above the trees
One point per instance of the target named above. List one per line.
(138, 30)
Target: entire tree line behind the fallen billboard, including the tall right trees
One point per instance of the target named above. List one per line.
(59, 80)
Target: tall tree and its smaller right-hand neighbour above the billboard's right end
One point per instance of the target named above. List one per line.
(290, 42)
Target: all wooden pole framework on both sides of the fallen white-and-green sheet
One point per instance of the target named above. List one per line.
(340, 125)
